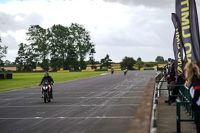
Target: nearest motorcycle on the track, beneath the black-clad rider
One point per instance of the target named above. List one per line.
(46, 89)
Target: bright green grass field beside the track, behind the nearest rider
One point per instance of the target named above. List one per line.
(24, 80)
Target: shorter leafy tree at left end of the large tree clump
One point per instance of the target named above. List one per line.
(25, 61)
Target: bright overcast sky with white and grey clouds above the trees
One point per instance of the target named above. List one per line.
(133, 28)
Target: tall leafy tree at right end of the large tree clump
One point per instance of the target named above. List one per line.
(81, 40)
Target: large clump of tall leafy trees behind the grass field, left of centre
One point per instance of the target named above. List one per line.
(56, 47)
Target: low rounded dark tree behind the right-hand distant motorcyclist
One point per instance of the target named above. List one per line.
(128, 62)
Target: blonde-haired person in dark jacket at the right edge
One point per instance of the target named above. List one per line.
(192, 76)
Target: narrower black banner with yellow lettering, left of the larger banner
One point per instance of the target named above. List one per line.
(178, 46)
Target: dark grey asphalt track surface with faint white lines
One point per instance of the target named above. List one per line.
(101, 104)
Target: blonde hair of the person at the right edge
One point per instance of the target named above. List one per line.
(191, 69)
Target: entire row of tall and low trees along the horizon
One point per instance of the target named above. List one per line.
(63, 47)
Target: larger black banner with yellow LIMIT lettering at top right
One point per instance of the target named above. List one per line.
(187, 14)
